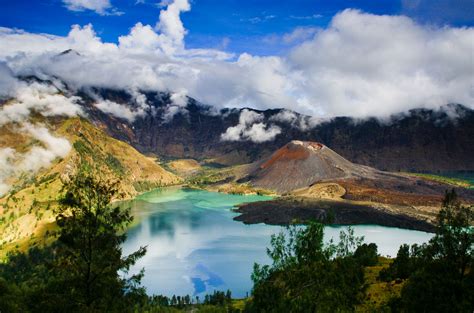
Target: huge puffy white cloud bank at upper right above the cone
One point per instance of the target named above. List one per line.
(365, 64)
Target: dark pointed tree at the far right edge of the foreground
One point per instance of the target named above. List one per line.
(444, 278)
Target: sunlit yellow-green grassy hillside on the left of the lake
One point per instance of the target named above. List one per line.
(27, 211)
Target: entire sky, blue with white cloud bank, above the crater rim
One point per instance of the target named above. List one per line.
(359, 58)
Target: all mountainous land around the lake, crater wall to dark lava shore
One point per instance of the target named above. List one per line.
(310, 180)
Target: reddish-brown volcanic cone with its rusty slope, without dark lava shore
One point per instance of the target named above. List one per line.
(301, 164)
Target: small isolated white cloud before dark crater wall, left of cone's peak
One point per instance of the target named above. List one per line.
(251, 128)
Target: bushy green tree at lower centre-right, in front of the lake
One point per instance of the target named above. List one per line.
(306, 275)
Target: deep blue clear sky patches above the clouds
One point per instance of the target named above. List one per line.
(232, 25)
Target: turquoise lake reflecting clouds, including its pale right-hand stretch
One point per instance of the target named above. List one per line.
(195, 247)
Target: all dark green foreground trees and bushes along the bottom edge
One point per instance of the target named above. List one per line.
(84, 269)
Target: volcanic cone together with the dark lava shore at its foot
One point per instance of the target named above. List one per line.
(316, 183)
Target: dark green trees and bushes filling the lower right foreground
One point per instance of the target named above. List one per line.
(307, 276)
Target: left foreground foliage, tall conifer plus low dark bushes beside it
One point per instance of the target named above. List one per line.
(80, 271)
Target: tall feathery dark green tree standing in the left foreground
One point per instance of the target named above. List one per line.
(89, 255)
